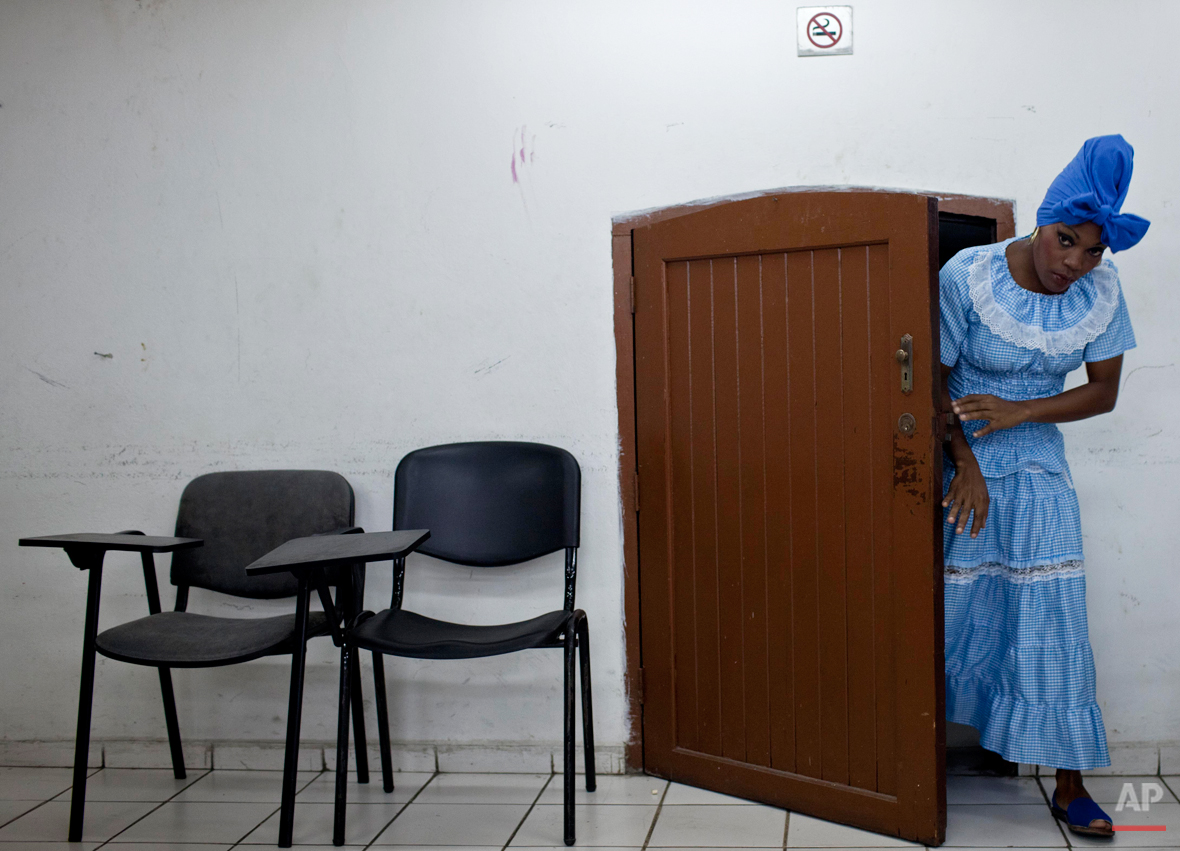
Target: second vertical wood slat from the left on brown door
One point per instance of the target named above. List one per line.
(705, 510)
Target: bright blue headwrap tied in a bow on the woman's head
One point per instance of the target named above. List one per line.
(1092, 189)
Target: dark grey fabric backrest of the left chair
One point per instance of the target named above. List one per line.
(242, 516)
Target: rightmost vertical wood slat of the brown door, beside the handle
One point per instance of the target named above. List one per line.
(884, 374)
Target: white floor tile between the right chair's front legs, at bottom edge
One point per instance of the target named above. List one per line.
(454, 824)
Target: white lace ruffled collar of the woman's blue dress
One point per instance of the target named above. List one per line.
(1051, 324)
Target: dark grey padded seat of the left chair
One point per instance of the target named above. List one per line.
(187, 640)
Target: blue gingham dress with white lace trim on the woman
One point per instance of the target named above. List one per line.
(1019, 662)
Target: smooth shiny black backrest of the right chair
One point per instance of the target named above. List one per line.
(491, 503)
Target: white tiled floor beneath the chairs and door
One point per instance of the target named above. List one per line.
(136, 810)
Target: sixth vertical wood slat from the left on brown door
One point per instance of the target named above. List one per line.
(804, 535)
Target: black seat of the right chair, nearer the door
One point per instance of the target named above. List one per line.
(401, 633)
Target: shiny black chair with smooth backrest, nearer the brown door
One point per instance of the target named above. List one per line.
(487, 505)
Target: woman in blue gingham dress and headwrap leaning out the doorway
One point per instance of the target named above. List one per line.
(1017, 318)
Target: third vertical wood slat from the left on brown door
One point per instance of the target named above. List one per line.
(727, 394)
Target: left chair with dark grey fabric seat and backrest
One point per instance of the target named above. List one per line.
(242, 516)
